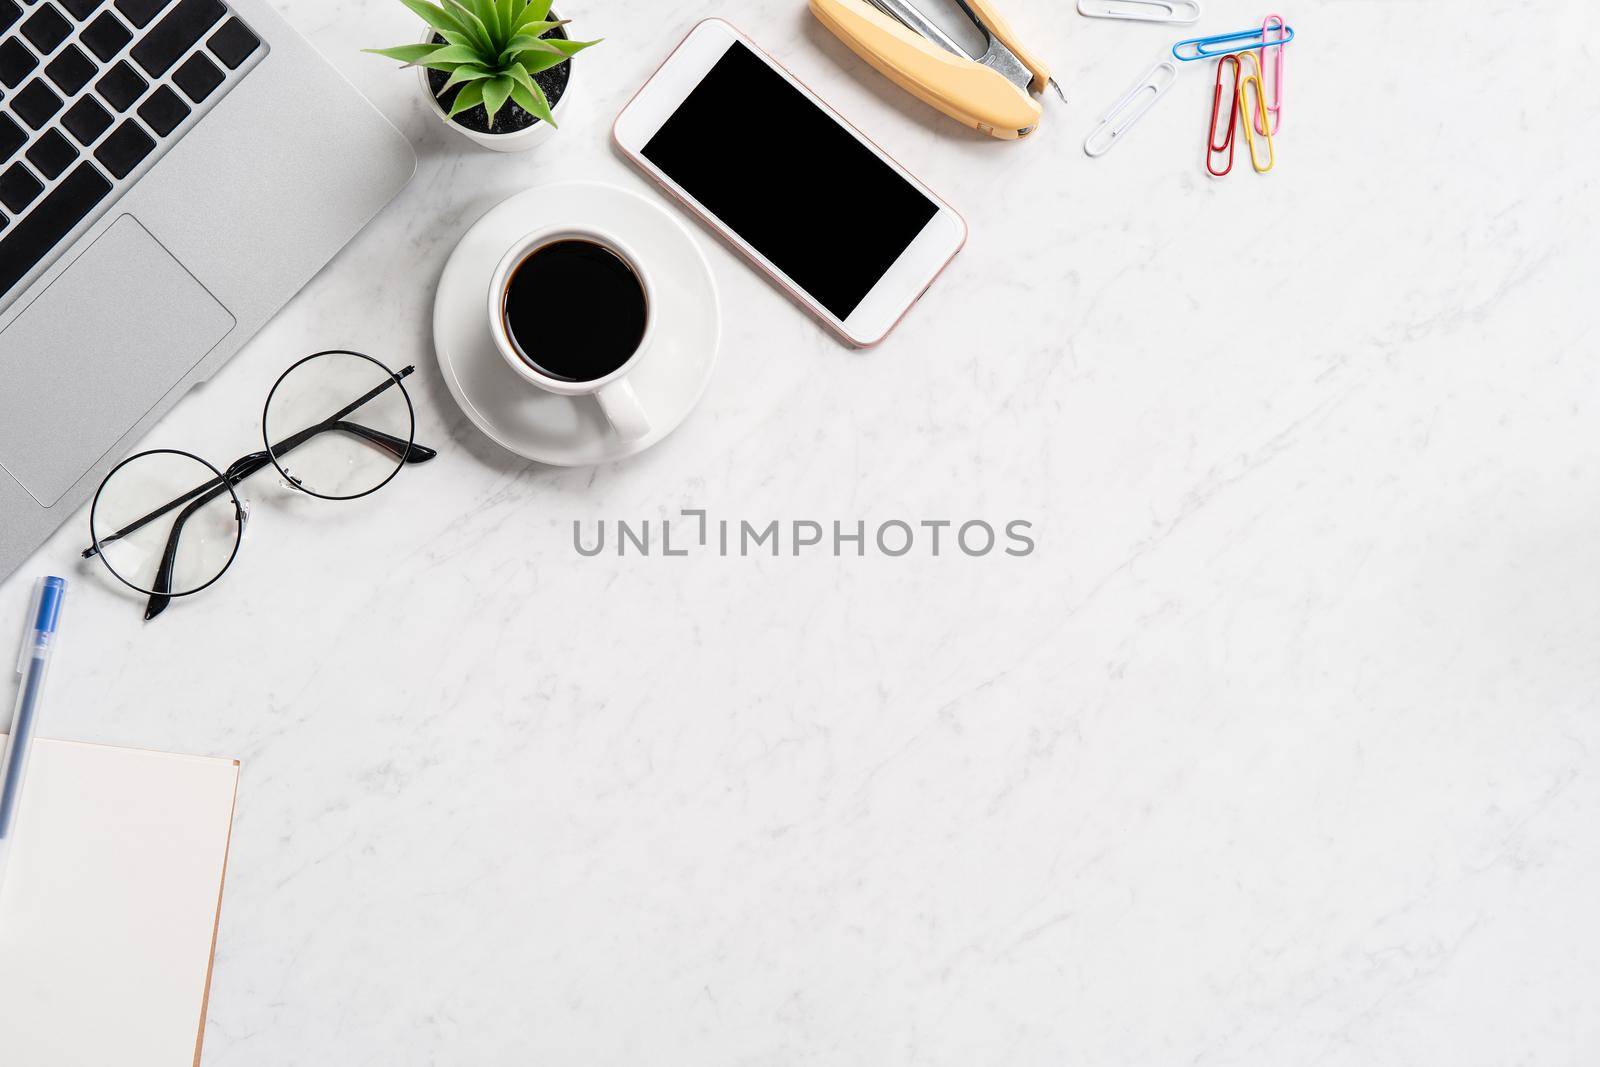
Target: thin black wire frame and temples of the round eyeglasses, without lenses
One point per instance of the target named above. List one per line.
(407, 452)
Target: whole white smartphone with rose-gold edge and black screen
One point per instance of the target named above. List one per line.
(774, 170)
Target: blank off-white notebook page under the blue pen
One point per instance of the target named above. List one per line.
(111, 905)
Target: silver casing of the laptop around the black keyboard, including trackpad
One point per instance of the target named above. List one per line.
(238, 215)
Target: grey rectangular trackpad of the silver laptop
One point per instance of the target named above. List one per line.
(95, 353)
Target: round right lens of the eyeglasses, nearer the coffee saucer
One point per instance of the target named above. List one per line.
(338, 425)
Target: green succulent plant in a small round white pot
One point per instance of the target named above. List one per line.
(495, 71)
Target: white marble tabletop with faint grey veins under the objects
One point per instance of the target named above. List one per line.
(1281, 749)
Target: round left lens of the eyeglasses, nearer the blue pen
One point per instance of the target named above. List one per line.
(167, 524)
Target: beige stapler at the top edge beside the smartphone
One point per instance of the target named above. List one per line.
(991, 94)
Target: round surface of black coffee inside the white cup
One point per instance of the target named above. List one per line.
(575, 310)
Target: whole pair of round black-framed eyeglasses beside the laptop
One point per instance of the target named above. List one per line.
(342, 457)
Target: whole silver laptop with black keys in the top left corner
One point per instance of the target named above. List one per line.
(172, 172)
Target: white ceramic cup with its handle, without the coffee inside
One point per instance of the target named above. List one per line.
(614, 391)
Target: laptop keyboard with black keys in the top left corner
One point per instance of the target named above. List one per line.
(92, 94)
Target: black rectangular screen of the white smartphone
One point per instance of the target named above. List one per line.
(790, 180)
